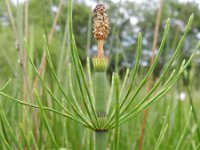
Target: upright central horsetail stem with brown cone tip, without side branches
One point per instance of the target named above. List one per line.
(100, 63)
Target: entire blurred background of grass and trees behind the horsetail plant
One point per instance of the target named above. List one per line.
(170, 117)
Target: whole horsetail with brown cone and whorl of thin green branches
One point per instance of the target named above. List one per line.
(94, 111)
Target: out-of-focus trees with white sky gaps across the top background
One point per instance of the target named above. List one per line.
(41, 15)
